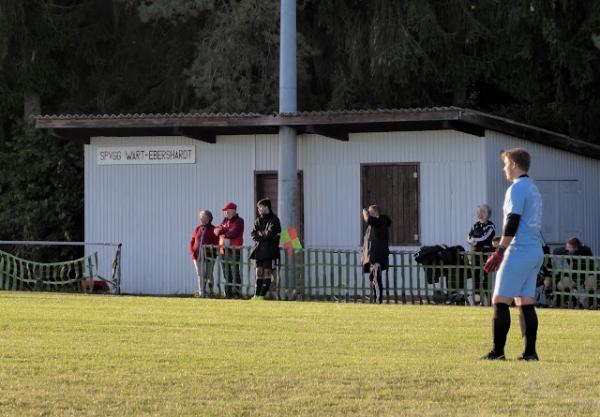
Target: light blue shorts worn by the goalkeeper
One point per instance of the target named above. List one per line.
(518, 272)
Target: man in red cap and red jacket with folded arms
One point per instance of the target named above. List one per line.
(231, 238)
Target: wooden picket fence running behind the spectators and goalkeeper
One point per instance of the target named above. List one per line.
(337, 275)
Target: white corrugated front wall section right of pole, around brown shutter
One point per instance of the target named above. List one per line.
(450, 185)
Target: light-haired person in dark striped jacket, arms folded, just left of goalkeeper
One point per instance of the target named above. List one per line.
(480, 240)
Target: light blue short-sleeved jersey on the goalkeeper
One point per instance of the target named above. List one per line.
(524, 198)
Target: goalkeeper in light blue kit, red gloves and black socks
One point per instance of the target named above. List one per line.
(518, 258)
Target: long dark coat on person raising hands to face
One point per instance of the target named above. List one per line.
(376, 248)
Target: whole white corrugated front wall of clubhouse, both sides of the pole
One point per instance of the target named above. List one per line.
(153, 209)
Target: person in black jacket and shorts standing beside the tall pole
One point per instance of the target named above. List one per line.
(265, 250)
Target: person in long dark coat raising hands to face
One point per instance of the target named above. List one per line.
(376, 248)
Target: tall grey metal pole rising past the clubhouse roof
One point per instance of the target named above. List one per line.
(287, 184)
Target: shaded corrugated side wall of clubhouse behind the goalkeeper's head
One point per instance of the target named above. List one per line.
(549, 164)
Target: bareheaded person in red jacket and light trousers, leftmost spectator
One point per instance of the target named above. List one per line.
(203, 258)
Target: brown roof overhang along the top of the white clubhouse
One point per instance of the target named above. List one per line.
(333, 124)
